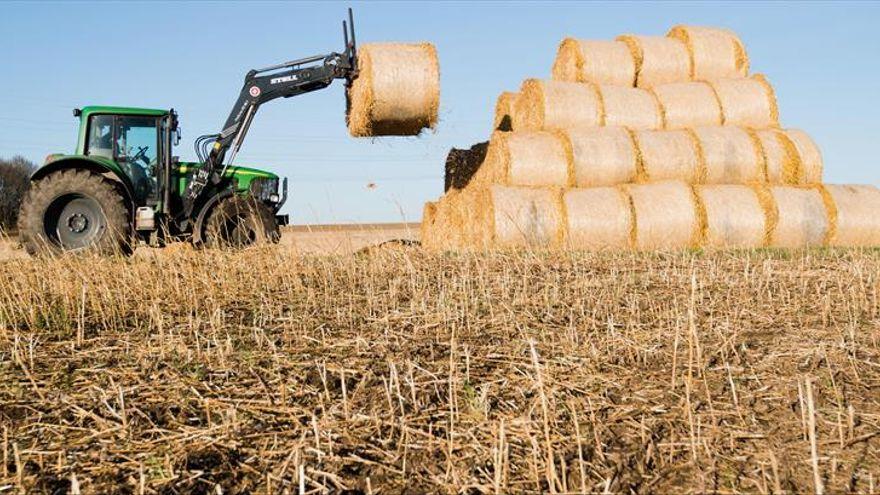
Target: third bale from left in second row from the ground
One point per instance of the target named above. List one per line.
(668, 155)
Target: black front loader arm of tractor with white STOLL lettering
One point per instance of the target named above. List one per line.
(261, 86)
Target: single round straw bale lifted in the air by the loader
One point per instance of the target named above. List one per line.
(397, 92)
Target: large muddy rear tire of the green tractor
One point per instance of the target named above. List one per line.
(74, 211)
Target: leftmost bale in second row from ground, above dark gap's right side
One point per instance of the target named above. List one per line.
(535, 158)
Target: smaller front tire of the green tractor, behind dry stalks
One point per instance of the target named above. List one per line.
(236, 223)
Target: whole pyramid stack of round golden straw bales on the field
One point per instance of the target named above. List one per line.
(646, 142)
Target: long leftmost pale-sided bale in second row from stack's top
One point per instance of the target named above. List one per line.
(556, 105)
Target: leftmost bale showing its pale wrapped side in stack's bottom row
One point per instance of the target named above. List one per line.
(524, 216)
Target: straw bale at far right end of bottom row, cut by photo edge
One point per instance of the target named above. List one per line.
(857, 222)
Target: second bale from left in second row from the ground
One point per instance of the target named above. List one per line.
(601, 156)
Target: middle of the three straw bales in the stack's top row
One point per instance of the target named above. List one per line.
(659, 59)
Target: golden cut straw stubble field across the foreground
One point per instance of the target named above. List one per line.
(402, 371)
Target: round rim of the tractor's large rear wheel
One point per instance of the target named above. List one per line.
(74, 221)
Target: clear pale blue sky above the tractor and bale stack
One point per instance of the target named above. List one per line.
(822, 58)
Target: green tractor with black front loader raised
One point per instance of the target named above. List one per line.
(123, 186)
